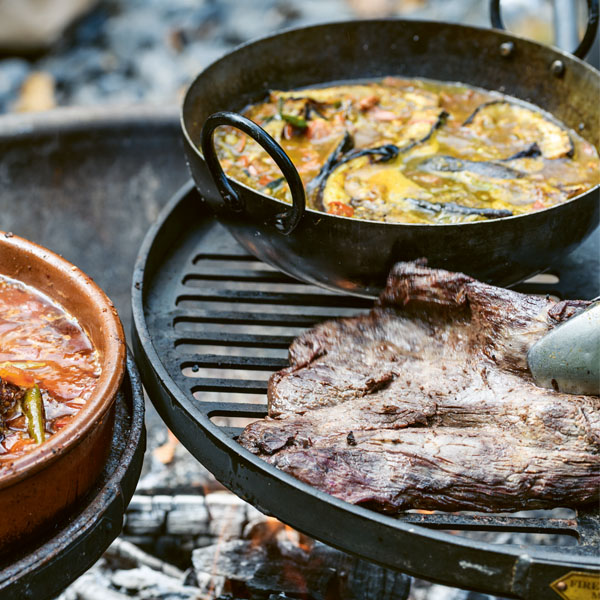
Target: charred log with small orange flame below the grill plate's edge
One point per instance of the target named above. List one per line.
(275, 559)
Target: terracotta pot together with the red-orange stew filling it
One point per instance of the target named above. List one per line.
(62, 361)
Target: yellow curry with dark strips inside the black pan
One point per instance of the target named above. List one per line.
(413, 151)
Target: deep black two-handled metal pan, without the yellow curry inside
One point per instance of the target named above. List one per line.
(356, 255)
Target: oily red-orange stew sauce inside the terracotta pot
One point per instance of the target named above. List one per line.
(43, 344)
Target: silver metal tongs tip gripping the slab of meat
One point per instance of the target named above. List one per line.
(568, 358)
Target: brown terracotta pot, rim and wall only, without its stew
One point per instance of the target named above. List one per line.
(36, 487)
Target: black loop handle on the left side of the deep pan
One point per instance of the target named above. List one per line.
(285, 222)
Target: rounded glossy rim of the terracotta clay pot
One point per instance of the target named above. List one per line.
(113, 364)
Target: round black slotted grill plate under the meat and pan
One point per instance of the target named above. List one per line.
(210, 325)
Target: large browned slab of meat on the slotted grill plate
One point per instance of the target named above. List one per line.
(427, 402)
